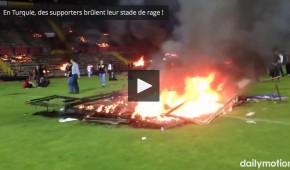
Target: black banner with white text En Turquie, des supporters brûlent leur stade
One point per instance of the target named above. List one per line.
(160, 12)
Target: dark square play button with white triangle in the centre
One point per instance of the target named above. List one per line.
(143, 85)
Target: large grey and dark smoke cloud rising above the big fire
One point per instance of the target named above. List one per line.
(214, 30)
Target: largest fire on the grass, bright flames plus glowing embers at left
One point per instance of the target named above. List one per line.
(199, 102)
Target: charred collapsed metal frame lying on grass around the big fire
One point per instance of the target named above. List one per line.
(70, 106)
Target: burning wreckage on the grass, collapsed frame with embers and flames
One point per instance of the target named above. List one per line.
(199, 103)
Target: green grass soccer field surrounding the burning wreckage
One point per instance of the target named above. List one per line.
(36, 142)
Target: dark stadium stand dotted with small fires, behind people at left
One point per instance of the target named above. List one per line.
(26, 37)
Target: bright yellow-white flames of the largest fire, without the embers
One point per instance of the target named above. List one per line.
(198, 99)
